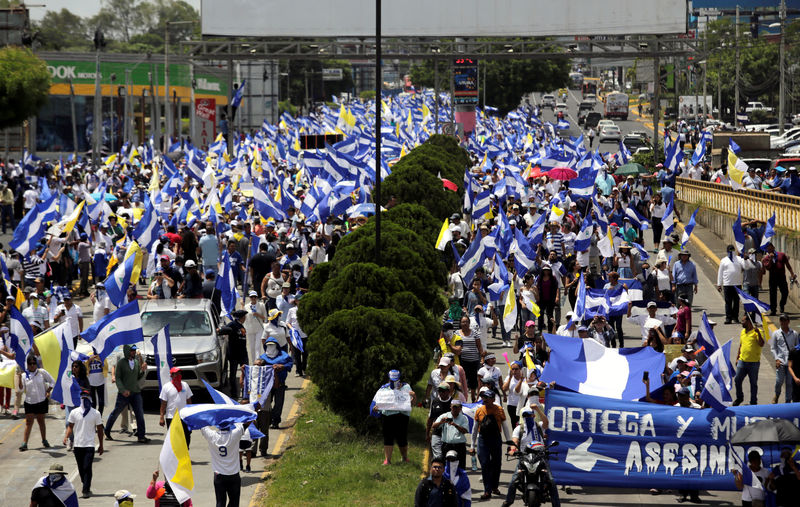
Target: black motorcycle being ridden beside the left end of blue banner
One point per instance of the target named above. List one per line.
(534, 480)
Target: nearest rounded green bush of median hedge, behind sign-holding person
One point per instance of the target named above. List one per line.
(350, 353)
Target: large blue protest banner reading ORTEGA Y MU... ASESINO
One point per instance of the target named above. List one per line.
(628, 444)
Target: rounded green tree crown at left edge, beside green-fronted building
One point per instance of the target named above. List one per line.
(24, 85)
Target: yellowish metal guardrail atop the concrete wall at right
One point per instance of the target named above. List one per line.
(755, 204)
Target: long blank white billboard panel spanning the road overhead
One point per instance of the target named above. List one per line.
(441, 18)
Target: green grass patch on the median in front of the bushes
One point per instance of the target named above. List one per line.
(328, 463)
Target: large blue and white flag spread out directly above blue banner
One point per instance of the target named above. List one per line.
(587, 367)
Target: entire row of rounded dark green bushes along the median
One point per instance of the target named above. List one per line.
(363, 318)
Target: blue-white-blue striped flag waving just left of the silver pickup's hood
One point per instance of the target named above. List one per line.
(121, 327)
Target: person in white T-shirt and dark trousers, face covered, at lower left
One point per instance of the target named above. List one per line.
(83, 424)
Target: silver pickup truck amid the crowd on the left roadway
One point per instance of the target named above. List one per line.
(196, 348)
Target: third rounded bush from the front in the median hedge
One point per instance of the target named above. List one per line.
(417, 261)
